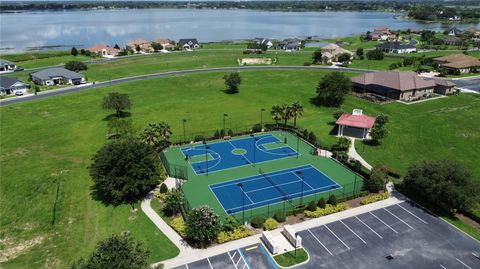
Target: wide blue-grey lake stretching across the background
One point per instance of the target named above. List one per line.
(21, 31)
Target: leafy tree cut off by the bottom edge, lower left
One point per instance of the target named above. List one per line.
(117, 251)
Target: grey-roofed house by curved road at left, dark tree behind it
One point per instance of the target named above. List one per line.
(57, 76)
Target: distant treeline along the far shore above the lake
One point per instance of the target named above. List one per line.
(417, 9)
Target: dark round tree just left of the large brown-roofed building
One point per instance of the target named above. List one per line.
(331, 89)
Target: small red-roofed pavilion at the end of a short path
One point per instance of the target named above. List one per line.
(355, 124)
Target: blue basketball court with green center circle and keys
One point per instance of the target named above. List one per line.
(227, 154)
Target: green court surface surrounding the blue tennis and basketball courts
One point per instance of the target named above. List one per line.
(197, 187)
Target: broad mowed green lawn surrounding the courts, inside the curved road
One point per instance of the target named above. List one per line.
(52, 140)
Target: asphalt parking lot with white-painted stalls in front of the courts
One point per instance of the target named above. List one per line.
(398, 236)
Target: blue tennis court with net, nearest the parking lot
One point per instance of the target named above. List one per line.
(259, 191)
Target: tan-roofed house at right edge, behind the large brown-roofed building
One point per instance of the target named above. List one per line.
(457, 63)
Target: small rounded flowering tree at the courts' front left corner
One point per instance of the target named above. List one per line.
(202, 225)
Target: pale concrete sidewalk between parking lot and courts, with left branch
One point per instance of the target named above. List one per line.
(188, 254)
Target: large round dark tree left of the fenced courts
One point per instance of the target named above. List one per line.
(124, 171)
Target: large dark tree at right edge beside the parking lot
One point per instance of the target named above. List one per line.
(445, 183)
